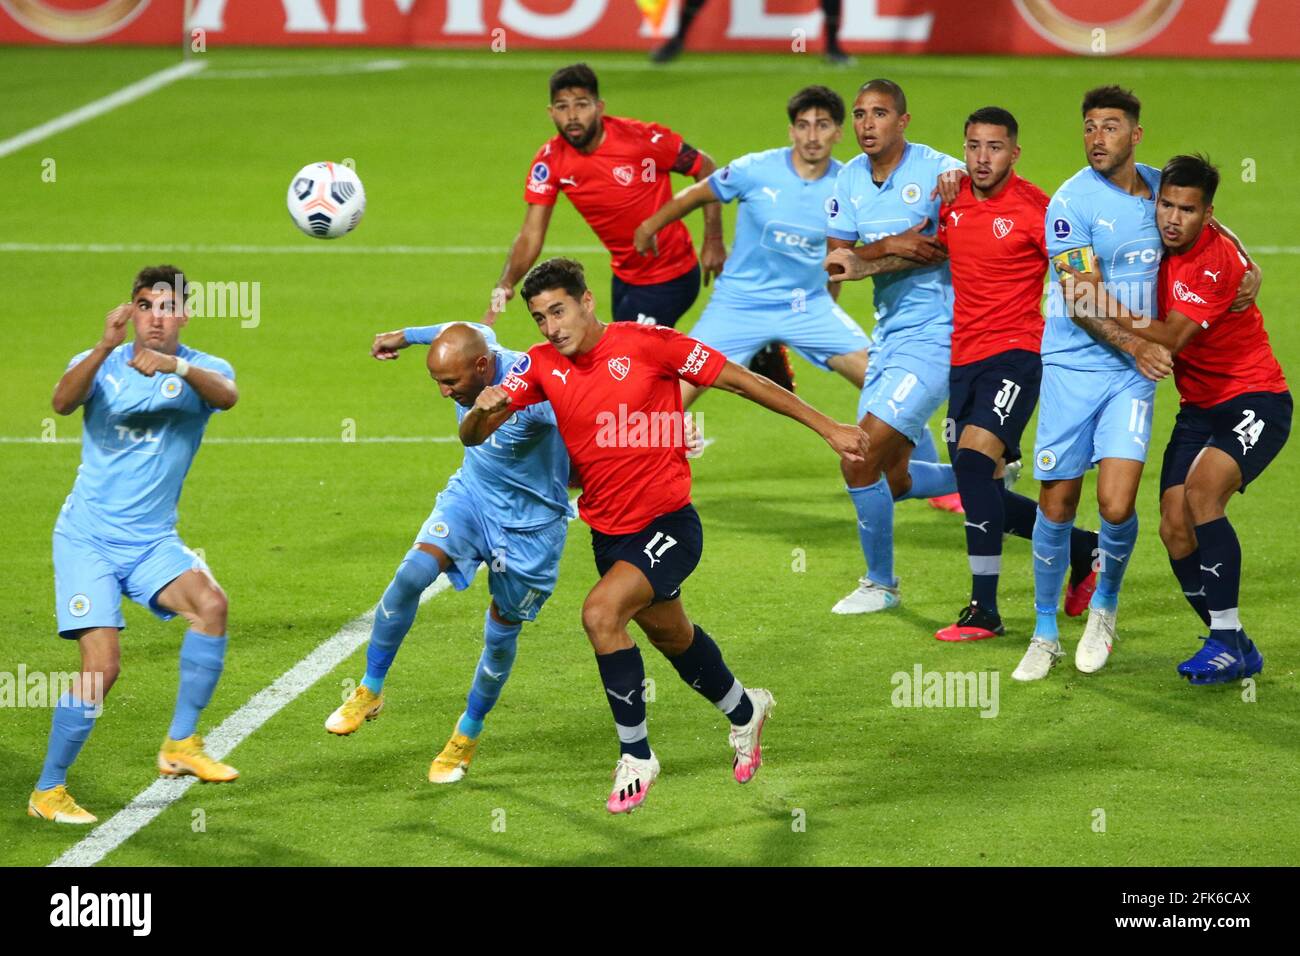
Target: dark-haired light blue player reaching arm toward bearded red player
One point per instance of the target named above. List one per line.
(774, 288)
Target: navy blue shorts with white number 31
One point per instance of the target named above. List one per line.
(999, 395)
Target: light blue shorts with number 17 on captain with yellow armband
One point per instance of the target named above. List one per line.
(1086, 416)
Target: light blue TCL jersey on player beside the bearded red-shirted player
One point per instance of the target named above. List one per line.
(781, 230)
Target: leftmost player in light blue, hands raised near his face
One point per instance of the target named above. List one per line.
(148, 405)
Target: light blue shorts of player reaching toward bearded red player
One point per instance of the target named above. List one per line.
(817, 328)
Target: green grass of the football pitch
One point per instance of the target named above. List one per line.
(305, 538)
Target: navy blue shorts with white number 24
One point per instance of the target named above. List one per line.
(1253, 429)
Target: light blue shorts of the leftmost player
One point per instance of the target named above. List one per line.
(92, 577)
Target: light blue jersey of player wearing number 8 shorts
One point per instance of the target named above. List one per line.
(915, 309)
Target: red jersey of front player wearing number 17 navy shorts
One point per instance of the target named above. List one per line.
(619, 413)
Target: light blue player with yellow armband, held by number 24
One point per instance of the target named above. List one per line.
(1099, 382)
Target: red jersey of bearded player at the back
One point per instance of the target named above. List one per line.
(617, 189)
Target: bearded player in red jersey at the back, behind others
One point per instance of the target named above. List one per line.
(616, 172)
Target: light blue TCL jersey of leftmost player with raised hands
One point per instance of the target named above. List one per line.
(140, 438)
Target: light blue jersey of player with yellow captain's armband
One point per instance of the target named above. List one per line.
(1089, 210)
